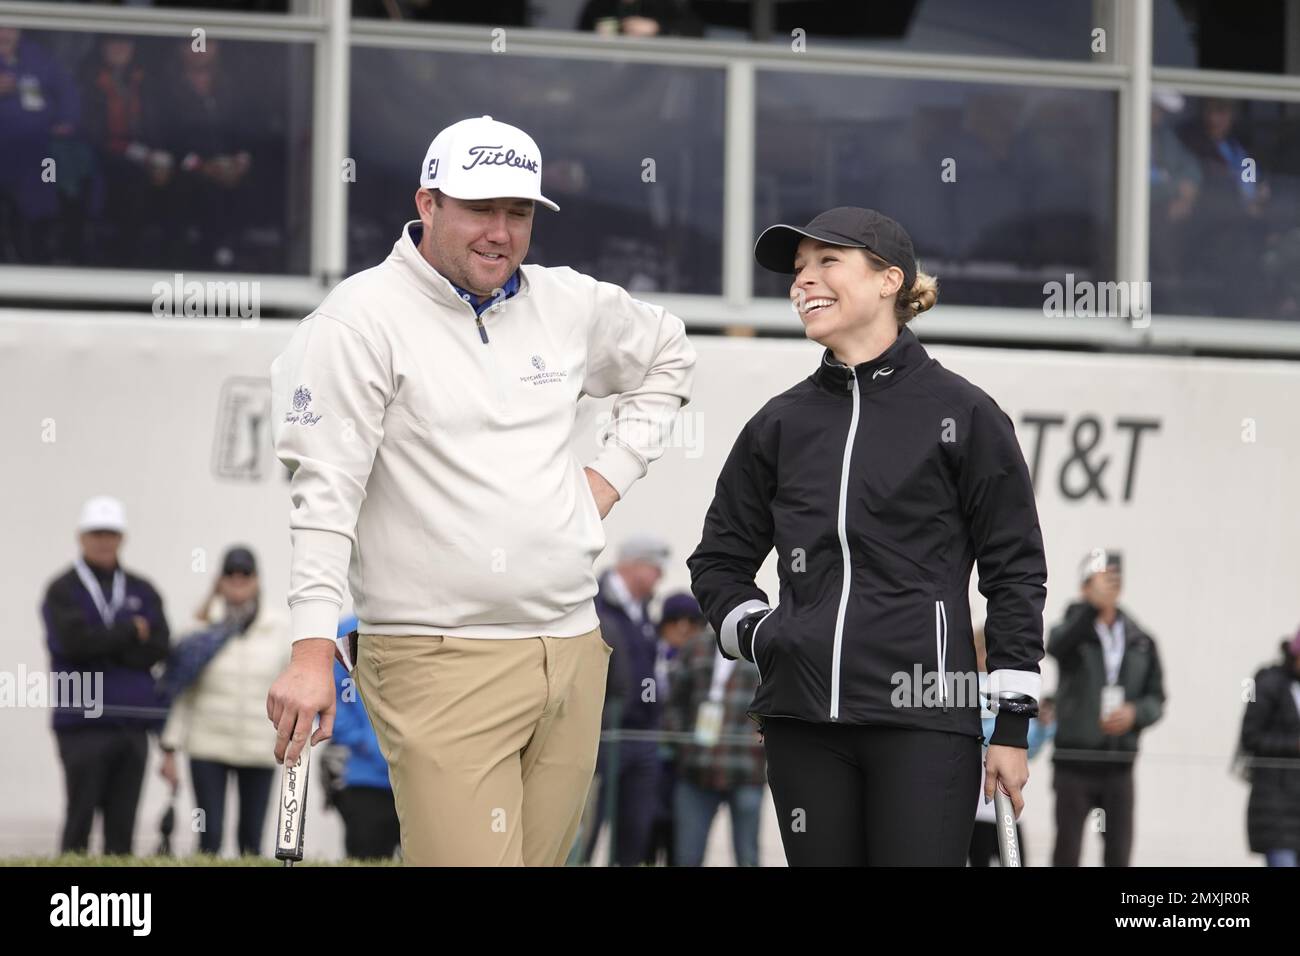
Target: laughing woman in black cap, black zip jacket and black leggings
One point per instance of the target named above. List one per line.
(881, 479)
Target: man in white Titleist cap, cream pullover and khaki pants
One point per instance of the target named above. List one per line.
(427, 413)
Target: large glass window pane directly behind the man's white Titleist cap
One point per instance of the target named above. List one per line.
(631, 153)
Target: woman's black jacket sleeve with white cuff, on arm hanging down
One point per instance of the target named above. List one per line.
(998, 500)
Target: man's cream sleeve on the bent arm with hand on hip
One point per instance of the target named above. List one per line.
(639, 353)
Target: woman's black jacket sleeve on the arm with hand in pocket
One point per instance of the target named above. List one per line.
(738, 539)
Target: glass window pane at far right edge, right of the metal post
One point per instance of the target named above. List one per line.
(1225, 207)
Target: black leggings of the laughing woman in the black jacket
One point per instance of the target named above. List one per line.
(872, 797)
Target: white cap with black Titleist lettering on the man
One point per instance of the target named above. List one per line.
(484, 159)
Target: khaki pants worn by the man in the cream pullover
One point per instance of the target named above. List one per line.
(491, 743)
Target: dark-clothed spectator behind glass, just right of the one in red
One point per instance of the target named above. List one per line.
(205, 128)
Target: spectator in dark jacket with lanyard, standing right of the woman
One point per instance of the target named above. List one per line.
(1111, 690)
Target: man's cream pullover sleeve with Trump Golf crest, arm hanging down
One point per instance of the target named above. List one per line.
(330, 392)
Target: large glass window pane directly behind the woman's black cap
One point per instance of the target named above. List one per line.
(1002, 188)
